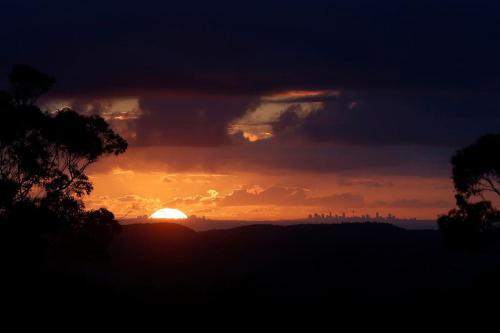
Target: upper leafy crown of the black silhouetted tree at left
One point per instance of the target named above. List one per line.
(44, 155)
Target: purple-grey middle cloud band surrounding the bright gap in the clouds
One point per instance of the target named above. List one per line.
(362, 118)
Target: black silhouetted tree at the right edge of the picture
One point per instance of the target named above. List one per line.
(476, 171)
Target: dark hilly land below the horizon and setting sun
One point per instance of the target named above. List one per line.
(348, 266)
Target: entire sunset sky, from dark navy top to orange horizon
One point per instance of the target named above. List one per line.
(269, 109)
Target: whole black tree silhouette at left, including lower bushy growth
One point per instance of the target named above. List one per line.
(43, 159)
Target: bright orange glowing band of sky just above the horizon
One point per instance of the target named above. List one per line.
(134, 187)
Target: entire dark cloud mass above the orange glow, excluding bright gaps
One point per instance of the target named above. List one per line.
(417, 78)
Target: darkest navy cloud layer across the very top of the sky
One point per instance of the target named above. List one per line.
(130, 47)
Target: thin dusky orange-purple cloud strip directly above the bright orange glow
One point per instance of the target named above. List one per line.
(272, 158)
